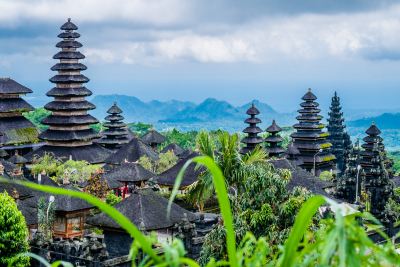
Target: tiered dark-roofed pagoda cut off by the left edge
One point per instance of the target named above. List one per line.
(16, 132)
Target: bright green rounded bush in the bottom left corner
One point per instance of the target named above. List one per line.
(13, 233)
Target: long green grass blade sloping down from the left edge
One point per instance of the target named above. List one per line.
(113, 213)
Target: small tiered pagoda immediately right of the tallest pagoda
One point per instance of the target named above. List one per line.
(116, 133)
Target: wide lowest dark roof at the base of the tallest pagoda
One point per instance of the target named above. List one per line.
(91, 153)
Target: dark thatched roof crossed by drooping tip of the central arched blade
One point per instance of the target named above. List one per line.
(191, 175)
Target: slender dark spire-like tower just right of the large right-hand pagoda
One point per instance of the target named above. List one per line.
(339, 139)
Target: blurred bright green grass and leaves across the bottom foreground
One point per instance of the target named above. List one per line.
(340, 241)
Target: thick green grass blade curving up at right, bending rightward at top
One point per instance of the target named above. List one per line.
(300, 226)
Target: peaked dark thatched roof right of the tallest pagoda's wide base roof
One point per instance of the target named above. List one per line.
(132, 152)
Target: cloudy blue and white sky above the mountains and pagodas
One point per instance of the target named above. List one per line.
(271, 50)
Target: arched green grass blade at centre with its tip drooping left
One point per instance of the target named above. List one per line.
(223, 200)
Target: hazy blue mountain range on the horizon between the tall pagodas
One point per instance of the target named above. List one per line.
(184, 115)
